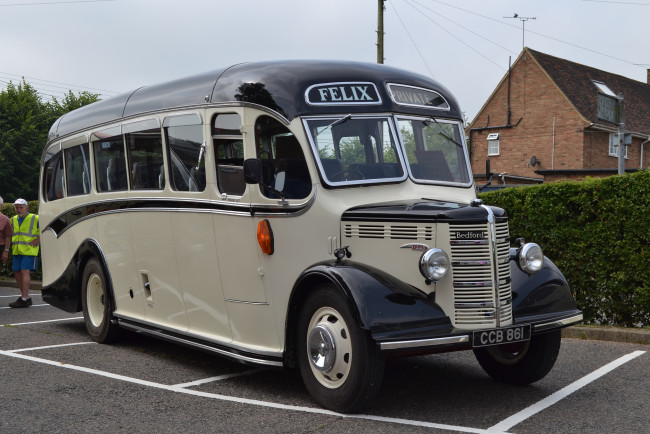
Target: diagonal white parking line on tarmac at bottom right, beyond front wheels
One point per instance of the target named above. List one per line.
(524, 414)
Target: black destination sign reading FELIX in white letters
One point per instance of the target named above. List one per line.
(342, 93)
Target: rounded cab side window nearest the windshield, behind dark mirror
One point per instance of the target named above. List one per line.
(283, 161)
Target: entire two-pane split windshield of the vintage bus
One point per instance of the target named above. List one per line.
(364, 149)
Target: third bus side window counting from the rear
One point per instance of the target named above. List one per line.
(110, 161)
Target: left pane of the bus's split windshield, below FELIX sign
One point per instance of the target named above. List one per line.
(359, 149)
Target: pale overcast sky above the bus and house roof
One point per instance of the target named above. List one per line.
(113, 46)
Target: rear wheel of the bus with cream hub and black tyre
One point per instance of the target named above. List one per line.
(97, 304)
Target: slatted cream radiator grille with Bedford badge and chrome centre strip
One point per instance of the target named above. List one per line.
(475, 273)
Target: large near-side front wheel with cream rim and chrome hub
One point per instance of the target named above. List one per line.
(340, 364)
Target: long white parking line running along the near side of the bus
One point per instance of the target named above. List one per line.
(244, 400)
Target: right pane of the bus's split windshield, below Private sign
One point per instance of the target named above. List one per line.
(434, 150)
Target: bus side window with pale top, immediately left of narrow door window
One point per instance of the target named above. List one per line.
(185, 151)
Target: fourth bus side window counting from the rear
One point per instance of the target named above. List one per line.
(145, 159)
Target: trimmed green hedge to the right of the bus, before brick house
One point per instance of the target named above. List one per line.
(597, 232)
